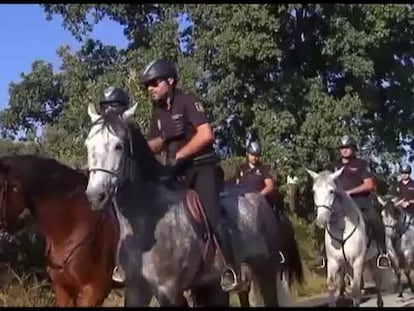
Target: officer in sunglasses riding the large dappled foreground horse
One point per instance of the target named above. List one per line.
(179, 126)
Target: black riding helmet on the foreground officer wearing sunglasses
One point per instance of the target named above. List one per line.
(158, 69)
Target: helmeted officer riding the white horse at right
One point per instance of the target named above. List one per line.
(358, 182)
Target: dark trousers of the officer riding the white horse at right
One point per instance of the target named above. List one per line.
(368, 209)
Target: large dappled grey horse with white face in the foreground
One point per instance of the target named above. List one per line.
(163, 249)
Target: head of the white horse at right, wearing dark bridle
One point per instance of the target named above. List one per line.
(325, 190)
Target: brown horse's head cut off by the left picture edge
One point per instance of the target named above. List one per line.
(13, 203)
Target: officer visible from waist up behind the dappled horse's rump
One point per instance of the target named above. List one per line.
(254, 175)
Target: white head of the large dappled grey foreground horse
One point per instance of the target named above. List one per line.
(108, 147)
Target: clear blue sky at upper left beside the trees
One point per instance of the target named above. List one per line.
(27, 36)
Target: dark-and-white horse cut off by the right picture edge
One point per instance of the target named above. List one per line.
(399, 233)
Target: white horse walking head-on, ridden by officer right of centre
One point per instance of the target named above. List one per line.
(346, 242)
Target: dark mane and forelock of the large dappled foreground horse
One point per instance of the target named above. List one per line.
(149, 166)
